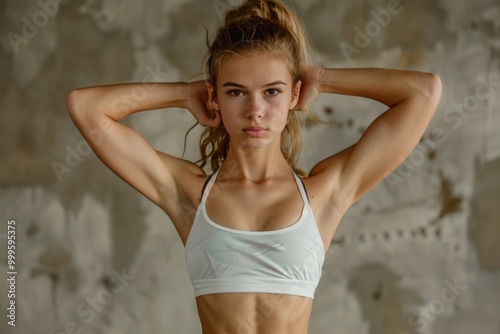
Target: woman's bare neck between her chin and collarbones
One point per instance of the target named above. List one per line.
(255, 164)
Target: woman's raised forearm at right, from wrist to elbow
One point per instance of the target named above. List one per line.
(386, 86)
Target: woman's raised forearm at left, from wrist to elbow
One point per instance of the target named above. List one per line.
(119, 101)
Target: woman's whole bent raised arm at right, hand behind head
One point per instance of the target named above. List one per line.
(412, 98)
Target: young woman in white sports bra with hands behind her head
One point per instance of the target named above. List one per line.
(255, 232)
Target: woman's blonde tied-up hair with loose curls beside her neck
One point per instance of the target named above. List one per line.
(256, 26)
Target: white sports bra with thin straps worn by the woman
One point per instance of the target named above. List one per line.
(284, 261)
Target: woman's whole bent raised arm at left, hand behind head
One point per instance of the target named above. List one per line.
(96, 111)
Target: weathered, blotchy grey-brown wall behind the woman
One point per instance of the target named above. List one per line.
(418, 254)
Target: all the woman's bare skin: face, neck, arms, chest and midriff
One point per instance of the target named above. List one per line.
(252, 97)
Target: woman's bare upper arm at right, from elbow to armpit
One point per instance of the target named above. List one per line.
(384, 145)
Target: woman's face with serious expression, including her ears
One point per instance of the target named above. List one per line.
(254, 95)
